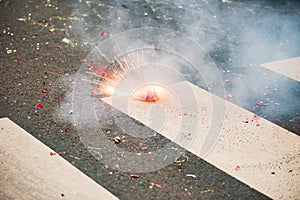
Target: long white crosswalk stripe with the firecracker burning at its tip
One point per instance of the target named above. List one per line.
(257, 150)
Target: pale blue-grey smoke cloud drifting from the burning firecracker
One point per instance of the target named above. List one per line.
(217, 45)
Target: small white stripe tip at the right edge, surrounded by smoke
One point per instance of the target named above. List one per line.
(288, 67)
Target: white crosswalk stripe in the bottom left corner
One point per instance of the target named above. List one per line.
(27, 171)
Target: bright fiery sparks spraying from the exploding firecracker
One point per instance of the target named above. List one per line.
(107, 76)
